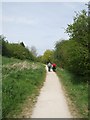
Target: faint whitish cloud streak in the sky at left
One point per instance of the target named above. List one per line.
(19, 20)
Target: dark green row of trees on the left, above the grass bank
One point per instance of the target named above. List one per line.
(16, 50)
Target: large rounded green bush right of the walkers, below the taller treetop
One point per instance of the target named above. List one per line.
(72, 56)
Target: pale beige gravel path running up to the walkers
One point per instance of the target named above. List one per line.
(51, 102)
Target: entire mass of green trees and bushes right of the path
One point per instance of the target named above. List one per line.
(73, 54)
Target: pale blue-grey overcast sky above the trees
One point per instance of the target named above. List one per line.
(38, 24)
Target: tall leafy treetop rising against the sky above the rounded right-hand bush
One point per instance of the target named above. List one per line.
(78, 31)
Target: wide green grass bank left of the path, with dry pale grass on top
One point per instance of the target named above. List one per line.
(20, 80)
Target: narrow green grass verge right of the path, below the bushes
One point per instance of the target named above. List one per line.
(77, 91)
